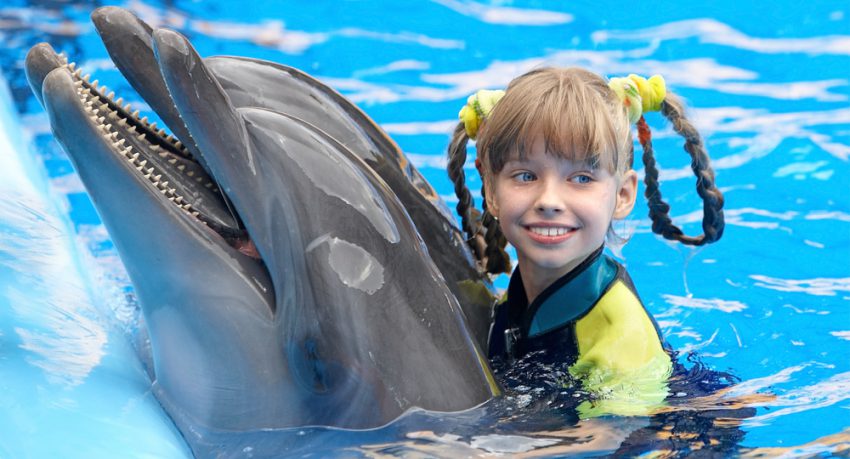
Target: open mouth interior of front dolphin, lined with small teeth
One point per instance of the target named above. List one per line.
(159, 157)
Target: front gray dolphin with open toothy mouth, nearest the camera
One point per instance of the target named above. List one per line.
(313, 301)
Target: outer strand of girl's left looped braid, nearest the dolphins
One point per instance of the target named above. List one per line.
(469, 215)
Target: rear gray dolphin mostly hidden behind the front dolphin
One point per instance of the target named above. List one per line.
(262, 84)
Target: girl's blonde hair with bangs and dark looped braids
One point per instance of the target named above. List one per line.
(581, 119)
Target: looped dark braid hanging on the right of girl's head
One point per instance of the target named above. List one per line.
(712, 220)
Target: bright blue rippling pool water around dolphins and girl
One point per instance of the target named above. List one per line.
(769, 88)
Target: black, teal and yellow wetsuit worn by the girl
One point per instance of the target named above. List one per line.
(593, 320)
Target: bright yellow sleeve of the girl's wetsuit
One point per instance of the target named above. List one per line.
(621, 360)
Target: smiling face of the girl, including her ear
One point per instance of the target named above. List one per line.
(555, 211)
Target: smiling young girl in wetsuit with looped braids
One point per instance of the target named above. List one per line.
(555, 155)
